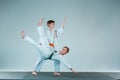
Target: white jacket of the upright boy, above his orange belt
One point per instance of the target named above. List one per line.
(46, 37)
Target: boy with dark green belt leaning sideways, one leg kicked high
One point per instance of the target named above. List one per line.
(46, 54)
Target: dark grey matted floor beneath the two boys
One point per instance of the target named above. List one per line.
(64, 76)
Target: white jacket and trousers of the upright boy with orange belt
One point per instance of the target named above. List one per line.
(45, 38)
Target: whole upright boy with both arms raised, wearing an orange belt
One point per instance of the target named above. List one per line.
(49, 37)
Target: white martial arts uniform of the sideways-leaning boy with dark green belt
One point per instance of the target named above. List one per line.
(57, 57)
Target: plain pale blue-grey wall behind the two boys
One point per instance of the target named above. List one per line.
(92, 32)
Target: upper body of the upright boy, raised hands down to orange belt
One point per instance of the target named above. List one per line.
(51, 35)
